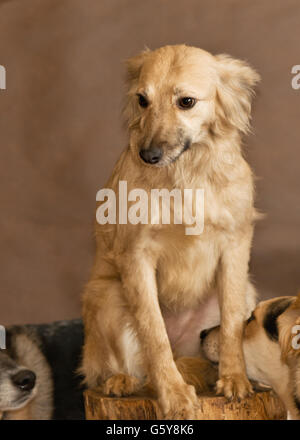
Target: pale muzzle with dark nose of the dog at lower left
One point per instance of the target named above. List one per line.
(17, 384)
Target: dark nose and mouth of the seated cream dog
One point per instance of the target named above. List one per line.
(159, 156)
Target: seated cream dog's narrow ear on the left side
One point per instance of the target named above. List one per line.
(133, 69)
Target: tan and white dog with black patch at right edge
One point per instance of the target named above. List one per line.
(271, 345)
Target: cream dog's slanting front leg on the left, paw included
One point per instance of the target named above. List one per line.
(177, 399)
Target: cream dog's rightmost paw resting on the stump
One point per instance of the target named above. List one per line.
(235, 386)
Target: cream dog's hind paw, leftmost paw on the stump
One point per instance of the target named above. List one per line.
(120, 385)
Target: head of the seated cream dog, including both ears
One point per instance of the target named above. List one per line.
(179, 97)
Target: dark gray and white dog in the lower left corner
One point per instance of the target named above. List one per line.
(38, 379)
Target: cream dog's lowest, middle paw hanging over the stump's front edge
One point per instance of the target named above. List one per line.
(179, 402)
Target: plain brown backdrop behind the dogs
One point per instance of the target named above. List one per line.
(61, 132)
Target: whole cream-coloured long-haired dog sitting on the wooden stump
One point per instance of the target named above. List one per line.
(153, 288)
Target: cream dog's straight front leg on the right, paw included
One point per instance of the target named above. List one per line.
(232, 285)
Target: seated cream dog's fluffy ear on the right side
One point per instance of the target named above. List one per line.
(234, 92)
